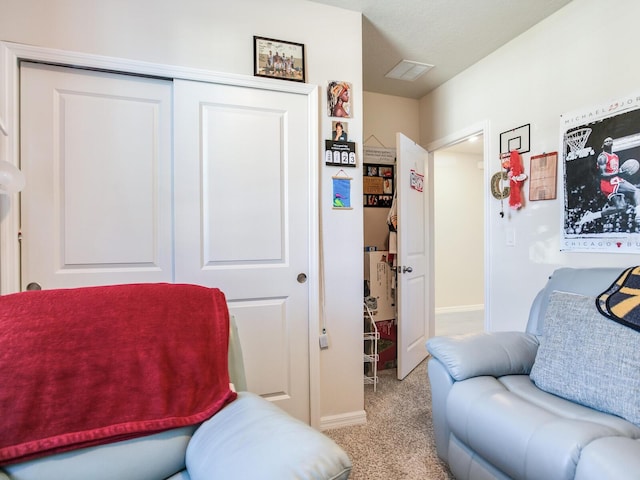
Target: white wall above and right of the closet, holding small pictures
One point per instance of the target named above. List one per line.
(218, 36)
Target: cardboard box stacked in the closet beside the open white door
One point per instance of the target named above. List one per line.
(379, 279)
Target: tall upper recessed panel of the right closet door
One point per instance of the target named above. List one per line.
(249, 169)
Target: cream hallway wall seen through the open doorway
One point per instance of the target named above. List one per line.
(459, 229)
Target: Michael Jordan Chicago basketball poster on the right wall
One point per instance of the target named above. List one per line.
(600, 153)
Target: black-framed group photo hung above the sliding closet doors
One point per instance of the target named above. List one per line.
(278, 59)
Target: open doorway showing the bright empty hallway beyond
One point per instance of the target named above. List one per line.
(458, 235)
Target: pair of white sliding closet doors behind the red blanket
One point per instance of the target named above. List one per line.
(107, 201)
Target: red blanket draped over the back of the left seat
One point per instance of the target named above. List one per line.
(87, 366)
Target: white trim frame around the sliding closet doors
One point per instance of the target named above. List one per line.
(11, 54)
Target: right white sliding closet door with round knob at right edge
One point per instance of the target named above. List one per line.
(242, 223)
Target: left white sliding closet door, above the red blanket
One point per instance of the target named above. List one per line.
(96, 150)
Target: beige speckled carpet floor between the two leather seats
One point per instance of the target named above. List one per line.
(397, 441)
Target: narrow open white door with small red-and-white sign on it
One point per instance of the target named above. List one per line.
(413, 269)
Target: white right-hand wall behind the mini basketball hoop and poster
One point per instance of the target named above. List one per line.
(582, 55)
